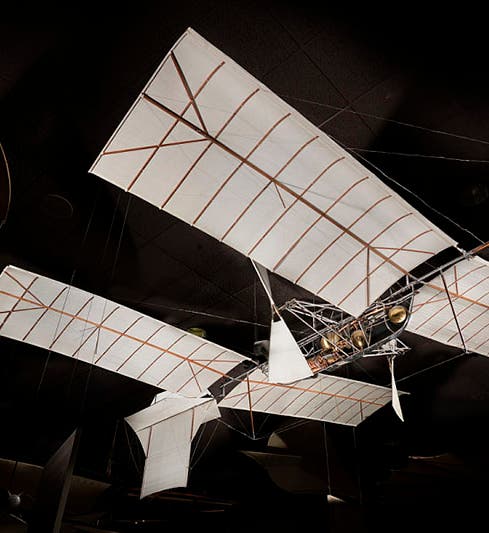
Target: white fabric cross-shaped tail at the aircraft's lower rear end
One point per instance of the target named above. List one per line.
(165, 430)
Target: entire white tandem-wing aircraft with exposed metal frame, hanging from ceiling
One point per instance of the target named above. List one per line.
(208, 143)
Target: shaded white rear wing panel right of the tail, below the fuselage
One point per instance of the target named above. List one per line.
(326, 398)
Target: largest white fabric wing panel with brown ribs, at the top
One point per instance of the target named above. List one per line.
(213, 146)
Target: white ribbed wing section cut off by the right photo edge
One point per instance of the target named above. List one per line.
(458, 313)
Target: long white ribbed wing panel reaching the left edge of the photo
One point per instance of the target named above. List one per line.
(62, 318)
